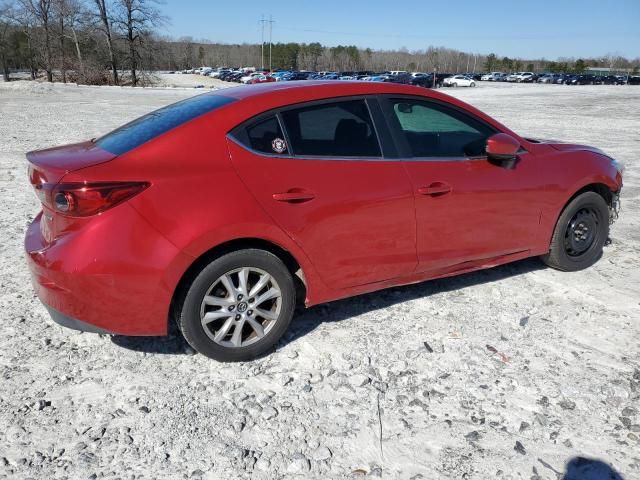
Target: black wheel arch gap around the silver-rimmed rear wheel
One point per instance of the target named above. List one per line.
(292, 264)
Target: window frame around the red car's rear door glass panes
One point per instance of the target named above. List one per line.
(386, 151)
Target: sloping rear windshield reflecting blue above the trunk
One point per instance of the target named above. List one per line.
(156, 123)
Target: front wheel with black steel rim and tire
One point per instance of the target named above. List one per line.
(579, 234)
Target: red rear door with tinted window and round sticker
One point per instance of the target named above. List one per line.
(318, 171)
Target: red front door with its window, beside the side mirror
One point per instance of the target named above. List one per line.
(467, 208)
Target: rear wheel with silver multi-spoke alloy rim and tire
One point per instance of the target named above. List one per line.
(238, 306)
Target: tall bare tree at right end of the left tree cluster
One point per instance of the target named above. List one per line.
(137, 18)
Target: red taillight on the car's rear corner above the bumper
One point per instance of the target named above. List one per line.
(85, 199)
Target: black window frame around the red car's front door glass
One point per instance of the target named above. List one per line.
(401, 143)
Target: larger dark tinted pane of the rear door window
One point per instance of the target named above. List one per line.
(336, 129)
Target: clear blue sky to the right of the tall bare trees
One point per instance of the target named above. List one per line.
(516, 28)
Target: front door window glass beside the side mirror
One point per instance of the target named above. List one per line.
(434, 130)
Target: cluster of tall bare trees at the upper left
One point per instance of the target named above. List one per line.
(86, 41)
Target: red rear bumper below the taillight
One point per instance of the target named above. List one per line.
(113, 275)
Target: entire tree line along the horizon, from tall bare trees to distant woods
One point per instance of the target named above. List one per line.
(118, 42)
